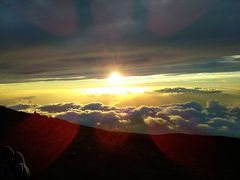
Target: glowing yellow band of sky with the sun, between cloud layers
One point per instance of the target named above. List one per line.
(118, 89)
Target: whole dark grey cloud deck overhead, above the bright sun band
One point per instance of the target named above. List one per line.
(193, 27)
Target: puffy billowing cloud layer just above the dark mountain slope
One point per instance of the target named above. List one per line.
(191, 117)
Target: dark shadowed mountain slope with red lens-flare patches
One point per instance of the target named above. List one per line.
(56, 149)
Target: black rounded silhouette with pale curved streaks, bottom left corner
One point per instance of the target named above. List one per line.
(12, 165)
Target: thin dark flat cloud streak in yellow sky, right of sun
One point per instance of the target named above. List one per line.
(189, 90)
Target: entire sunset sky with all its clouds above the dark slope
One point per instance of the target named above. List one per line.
(127, 54)
